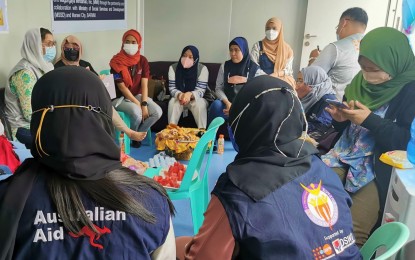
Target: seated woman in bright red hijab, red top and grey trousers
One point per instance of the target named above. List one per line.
(131, 73)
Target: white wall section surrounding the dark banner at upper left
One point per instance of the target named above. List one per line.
(99, 47)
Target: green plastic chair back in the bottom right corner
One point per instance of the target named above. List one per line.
(392, 236)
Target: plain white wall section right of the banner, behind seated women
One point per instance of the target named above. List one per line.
(211, 25)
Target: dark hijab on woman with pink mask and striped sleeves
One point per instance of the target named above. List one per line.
(186, 79)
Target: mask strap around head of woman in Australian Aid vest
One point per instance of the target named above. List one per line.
(52, 108)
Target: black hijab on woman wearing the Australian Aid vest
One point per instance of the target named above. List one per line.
(76, 142)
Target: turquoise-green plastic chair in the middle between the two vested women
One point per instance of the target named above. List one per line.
(195, 189)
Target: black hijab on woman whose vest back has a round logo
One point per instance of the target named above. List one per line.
(262, 166)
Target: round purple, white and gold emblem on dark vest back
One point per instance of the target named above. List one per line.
(319, 205)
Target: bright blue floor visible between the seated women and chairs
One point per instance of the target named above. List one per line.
(182, 222)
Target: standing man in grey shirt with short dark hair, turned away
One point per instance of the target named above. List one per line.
(339, 58)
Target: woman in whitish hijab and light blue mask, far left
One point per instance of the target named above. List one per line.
(38, 51)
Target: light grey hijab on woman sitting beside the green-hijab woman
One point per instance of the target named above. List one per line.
(320, 83)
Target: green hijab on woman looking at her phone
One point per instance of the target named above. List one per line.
(389, 49)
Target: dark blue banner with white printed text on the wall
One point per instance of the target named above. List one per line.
(88, 15)
